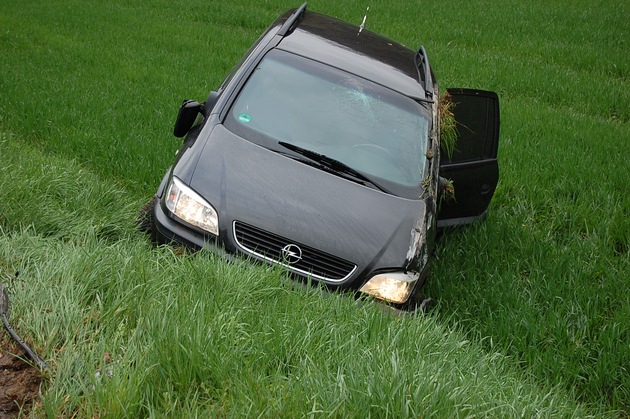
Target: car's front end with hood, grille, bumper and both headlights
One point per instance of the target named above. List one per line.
(254, 202)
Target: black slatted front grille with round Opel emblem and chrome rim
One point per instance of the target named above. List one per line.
(270, 247)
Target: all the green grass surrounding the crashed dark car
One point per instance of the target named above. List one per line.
(533, 305)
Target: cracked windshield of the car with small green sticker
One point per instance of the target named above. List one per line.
(368, 127)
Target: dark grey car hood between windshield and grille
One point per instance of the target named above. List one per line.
(305, 205)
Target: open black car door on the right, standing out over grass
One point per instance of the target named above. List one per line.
(473, 167)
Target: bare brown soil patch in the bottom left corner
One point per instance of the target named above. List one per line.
(19, 381)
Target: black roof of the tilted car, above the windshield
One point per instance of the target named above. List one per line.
(361, 52)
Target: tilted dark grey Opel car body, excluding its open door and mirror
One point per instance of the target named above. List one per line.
(322, 158)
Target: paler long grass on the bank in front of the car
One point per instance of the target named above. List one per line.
(132, 330)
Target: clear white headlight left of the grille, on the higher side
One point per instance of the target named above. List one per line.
(190, 207)
